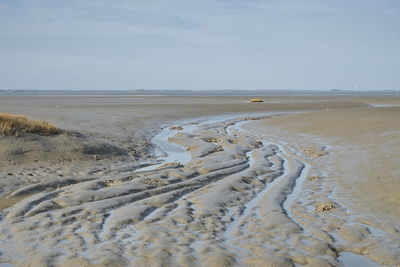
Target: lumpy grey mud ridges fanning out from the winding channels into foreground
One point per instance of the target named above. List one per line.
(242, 199)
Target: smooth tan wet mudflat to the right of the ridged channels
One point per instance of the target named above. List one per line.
(353, 179)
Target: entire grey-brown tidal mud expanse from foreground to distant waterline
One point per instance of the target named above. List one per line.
(299, 189)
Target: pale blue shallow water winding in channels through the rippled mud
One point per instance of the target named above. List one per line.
(170, 152)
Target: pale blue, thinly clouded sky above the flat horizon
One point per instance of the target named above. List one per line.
(199, 44)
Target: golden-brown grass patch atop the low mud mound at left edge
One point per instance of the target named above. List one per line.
(13, 125)
